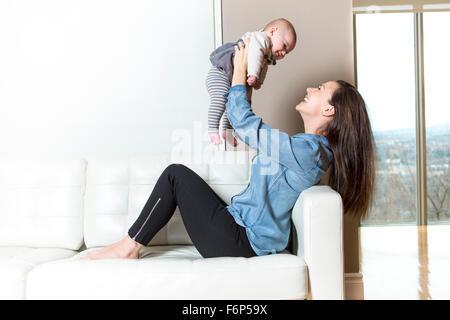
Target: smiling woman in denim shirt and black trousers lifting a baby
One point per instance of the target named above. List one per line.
(337, 135)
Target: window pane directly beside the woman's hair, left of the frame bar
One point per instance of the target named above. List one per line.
(386, 80)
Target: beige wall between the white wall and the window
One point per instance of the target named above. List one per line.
(324, 52)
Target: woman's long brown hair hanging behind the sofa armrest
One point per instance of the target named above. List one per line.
(352, 173)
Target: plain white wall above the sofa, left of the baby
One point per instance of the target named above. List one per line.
(100, 77)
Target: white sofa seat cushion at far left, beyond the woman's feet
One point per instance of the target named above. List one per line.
(16, 262)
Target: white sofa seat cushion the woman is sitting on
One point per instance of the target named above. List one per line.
(171, 272)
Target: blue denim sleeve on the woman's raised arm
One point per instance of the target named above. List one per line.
(277, 145)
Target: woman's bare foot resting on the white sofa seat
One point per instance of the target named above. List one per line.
(126, 248)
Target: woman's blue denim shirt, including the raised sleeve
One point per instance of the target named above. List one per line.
(284, 167)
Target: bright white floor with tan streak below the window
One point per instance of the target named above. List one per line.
(405, 262)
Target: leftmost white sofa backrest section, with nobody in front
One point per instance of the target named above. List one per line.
(41, 202)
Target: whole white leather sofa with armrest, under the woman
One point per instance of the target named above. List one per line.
(54, 211)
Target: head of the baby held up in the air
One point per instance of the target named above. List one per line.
(282, 35)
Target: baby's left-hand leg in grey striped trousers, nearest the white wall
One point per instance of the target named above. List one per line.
(218, 84)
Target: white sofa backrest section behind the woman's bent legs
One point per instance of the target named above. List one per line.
(117, 189)
